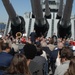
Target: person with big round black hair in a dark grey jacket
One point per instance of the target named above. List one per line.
(30, 52)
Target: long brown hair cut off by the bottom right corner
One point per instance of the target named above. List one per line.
(71, 69)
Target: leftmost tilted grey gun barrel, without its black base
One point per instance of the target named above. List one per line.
(11, 12)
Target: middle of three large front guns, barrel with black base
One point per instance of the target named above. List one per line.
(41, 25)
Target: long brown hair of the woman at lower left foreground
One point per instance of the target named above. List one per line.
(18, 66)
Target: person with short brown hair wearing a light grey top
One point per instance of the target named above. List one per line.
(66, 55)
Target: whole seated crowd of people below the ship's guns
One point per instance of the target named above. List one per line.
(36, 55)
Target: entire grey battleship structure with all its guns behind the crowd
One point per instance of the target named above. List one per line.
(50, 16)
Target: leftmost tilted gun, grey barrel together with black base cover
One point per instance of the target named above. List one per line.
(17, 22)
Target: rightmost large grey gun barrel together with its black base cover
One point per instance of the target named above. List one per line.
(64, 25)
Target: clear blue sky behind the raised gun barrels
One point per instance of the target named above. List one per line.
(20, 6)
